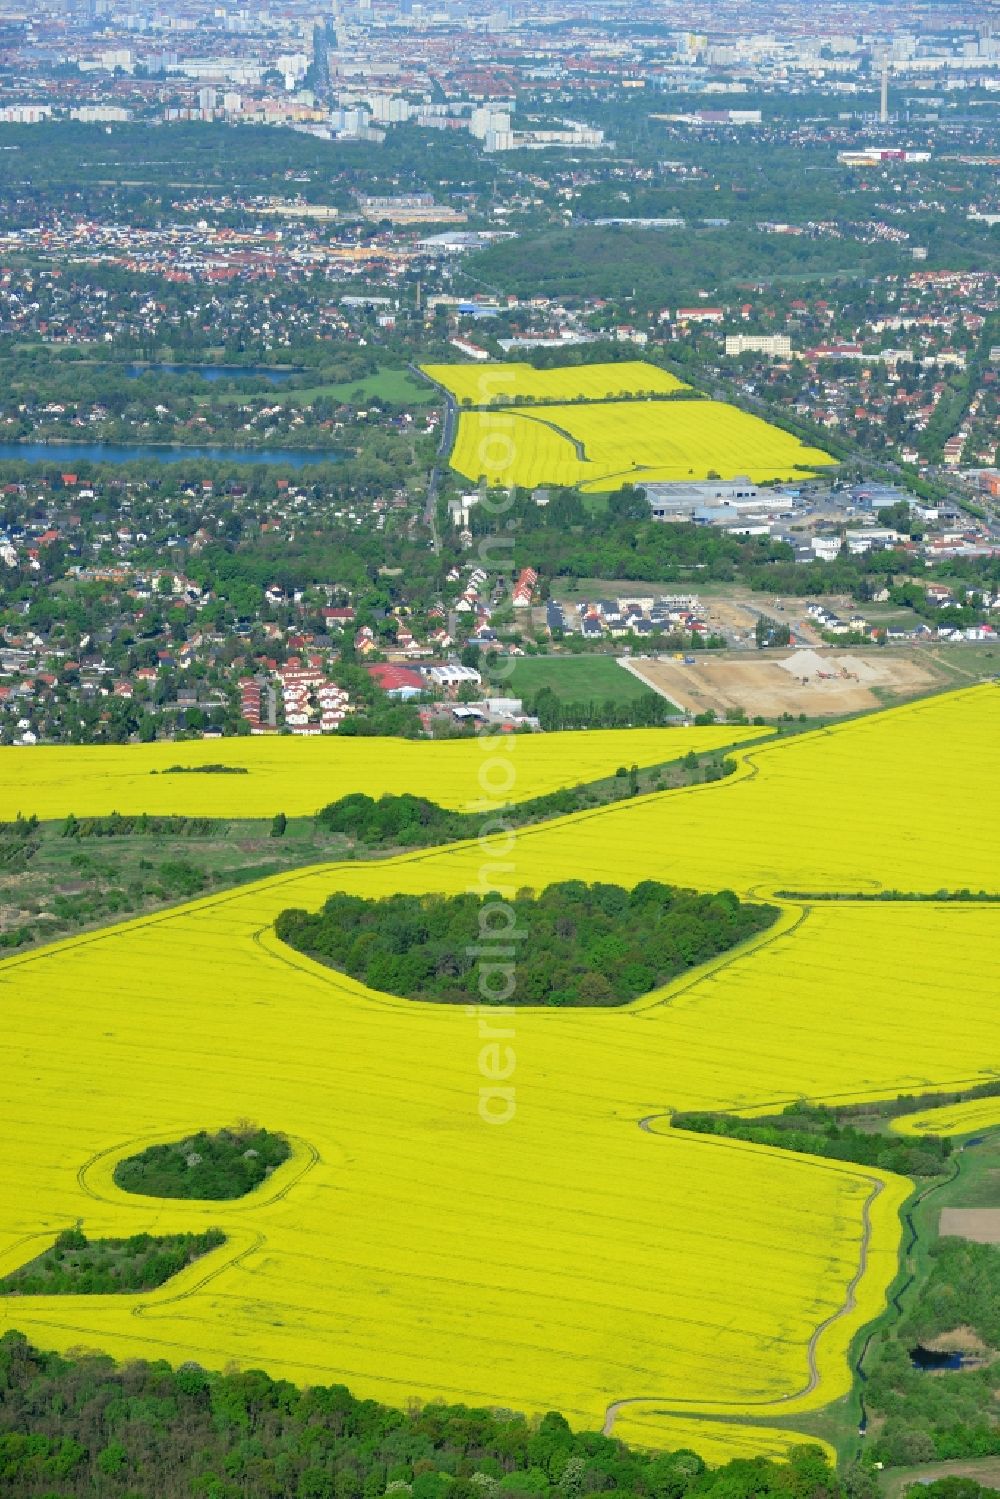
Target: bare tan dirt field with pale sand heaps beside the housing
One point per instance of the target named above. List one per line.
(813, 683)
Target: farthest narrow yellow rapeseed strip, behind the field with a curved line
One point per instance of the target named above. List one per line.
(494, 383)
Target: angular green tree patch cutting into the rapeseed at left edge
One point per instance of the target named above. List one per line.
(79, 1267)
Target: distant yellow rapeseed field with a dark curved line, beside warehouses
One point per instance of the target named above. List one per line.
(603, 446)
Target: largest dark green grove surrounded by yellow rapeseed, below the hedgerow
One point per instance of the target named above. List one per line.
(588, 944)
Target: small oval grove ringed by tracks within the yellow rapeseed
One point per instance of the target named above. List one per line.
(208, 1167)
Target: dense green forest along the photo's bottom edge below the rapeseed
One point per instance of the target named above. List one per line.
(88, 1428)
